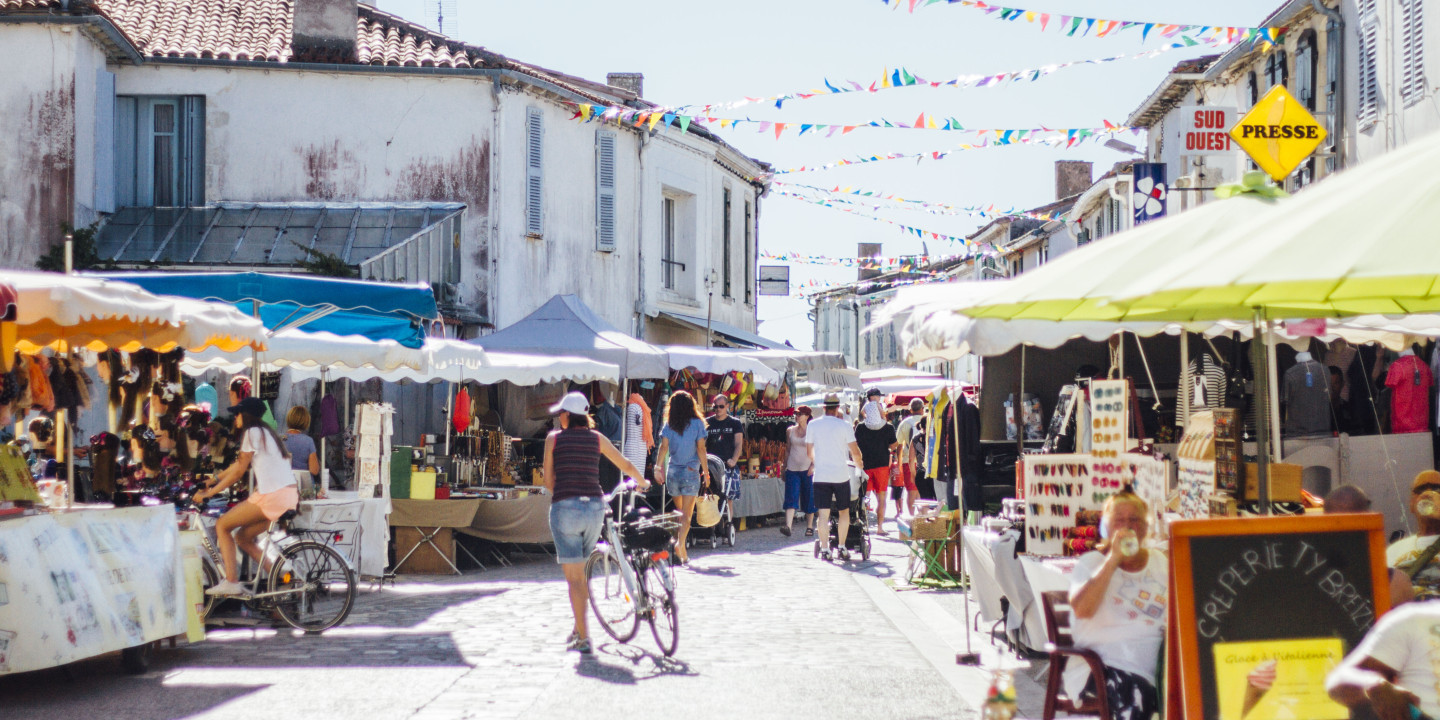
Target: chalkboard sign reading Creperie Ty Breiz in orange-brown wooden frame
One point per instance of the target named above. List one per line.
(1266, 607)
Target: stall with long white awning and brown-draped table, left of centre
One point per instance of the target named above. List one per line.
(420, 490)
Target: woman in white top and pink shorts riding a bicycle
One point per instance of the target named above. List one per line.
(263, 450)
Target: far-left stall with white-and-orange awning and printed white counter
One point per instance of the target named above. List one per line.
(87, 580)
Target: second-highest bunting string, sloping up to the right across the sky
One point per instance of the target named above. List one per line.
(904, 78)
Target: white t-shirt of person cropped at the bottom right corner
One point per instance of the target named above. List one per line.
(1408, 640)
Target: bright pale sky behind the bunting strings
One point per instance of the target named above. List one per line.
(760, 48)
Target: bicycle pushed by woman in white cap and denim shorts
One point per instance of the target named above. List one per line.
(630, 578)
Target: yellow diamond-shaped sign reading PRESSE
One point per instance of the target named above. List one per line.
(1278, 133)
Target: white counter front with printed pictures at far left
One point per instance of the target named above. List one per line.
(86, 582)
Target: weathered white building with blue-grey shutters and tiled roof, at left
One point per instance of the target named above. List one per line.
(336, 103)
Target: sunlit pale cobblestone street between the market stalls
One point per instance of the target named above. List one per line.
(767, 631)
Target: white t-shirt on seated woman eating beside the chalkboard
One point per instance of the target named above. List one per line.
(1130, 627)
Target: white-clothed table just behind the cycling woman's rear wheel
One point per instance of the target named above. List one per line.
(358, 528)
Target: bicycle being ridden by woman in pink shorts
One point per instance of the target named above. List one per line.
(309, 584)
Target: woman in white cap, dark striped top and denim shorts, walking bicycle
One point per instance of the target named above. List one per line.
(572, 476)
